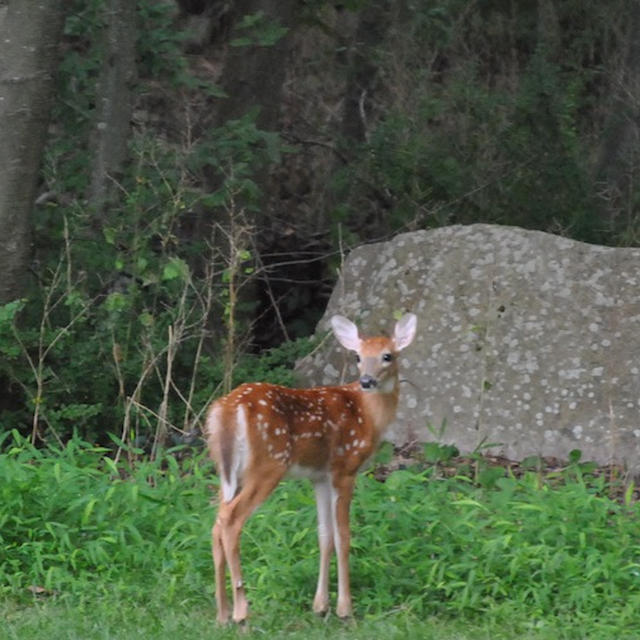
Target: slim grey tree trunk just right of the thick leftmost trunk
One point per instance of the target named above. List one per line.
(114, 100)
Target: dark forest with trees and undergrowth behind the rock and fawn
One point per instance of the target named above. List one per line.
(179, 181)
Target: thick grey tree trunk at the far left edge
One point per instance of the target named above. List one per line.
(30, 33)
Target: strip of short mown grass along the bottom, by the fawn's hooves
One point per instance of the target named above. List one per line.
(115, 619)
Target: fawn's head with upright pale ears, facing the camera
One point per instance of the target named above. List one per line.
(376, 357)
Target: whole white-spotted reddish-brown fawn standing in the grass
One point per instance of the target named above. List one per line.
(259, 432)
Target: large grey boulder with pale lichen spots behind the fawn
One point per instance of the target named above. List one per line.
(527, 341)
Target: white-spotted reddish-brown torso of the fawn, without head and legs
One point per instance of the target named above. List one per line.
(308, 431)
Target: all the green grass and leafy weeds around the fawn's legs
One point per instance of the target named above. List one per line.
(88, 550)
